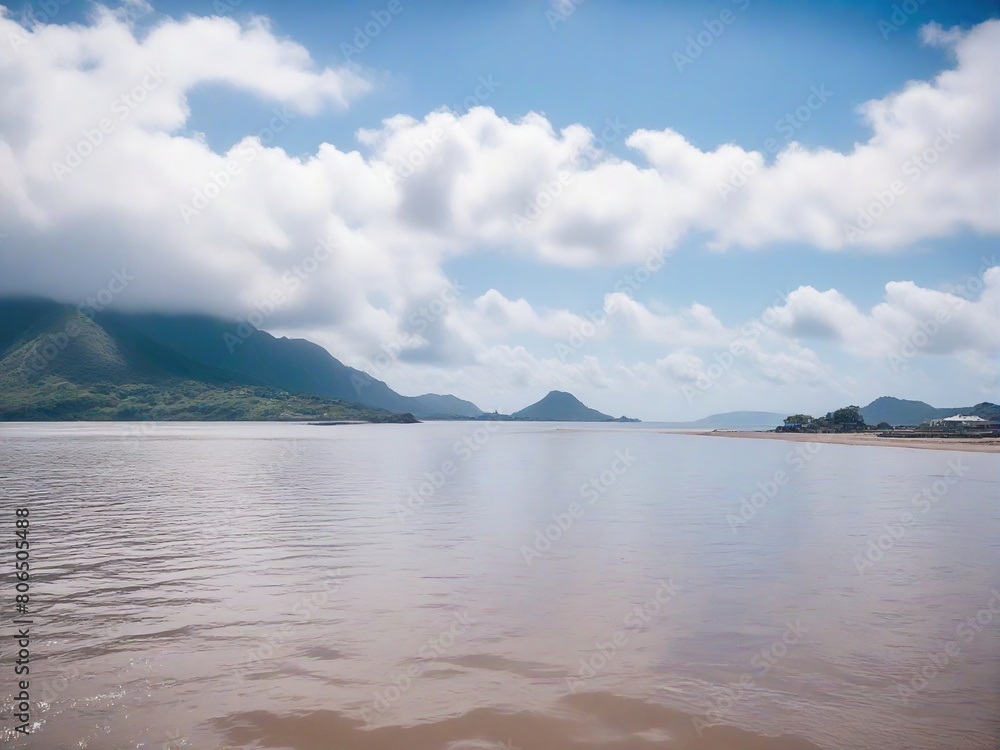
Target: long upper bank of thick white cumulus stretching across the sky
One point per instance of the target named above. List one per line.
(472, 181)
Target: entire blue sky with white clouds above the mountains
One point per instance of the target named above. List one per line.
(669, 209)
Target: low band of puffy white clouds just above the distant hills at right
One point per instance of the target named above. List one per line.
(778, 348)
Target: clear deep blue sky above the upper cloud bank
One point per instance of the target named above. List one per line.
(432, 54)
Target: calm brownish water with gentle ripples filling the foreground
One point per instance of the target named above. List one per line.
(287, 586)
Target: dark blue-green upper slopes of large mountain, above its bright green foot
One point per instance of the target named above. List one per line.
(198, 348)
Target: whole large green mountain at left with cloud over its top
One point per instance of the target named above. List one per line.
(56, 363)
